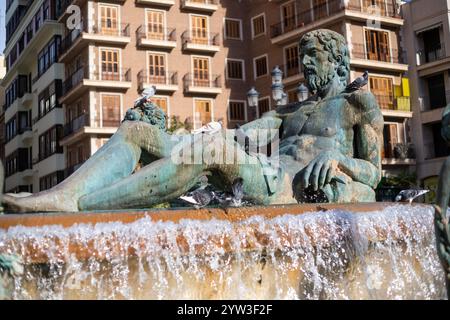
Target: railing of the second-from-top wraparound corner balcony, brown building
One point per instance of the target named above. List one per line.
(78, 76)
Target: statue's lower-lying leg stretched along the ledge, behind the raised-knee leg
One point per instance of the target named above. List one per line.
(165, 180)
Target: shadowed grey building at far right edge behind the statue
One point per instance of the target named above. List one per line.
(427, 32)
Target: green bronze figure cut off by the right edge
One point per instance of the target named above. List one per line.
(441, 222)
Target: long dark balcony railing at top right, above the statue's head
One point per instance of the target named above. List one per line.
(328, 9)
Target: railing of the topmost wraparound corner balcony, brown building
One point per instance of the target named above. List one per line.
(115, 30)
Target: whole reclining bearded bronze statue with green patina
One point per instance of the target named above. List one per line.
(329, 150)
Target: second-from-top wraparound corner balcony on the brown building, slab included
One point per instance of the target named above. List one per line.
(83, 80)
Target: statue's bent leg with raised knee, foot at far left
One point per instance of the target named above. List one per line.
(116, 160)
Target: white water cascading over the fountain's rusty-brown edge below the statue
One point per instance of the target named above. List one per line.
(325, 255)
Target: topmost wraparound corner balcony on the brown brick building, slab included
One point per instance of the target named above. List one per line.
(77, 39)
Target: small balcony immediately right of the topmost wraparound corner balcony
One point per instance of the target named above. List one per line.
(156, 37)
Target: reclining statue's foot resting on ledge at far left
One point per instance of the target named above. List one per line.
(45, 202)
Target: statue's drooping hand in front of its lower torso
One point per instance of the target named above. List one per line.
(321, 170)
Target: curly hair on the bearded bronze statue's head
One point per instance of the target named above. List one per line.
(335, 43)
